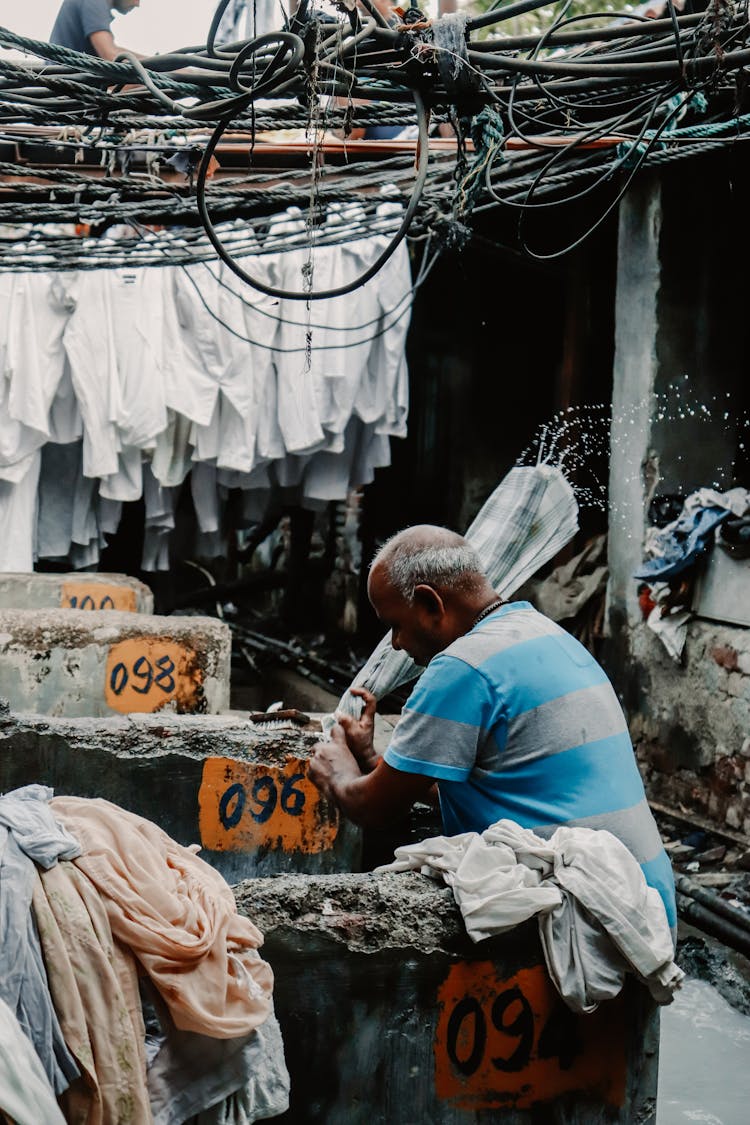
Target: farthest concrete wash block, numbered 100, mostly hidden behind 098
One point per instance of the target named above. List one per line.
(79, 590)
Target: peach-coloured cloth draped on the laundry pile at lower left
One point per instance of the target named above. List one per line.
(177, 915)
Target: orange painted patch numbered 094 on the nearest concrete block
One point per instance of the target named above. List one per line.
(514, 1042)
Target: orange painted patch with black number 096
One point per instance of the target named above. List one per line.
(245, 807)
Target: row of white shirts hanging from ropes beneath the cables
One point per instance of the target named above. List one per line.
(119, 383)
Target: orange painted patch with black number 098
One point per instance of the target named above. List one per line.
(146, 673)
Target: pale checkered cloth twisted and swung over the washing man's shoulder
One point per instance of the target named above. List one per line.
(529, 518)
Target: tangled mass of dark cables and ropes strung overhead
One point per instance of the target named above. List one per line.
(570, 114)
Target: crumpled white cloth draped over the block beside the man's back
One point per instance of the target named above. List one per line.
(599, 919)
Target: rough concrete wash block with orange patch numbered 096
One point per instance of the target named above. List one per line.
(239, 791)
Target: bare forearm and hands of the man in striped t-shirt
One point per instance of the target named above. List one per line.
(374, 799)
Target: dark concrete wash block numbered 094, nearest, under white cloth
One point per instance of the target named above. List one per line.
(392, 1016)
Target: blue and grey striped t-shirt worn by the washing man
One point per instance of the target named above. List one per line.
(517, 719)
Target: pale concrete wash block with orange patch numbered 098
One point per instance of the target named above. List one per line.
(103, 662)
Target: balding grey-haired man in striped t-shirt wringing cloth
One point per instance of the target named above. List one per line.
(512, 718)
